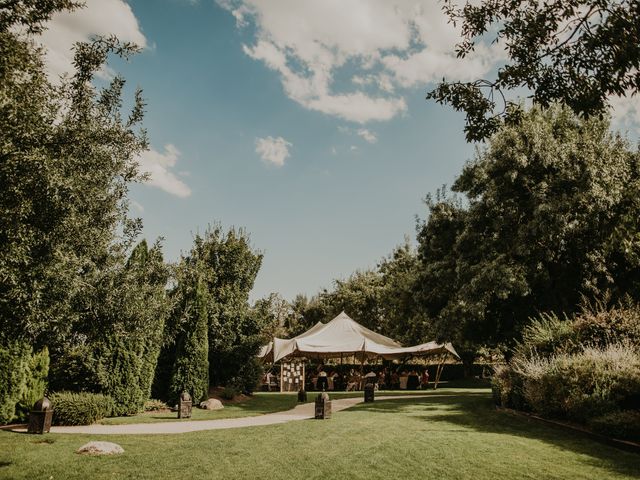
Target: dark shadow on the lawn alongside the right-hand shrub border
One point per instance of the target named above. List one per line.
(475, 411)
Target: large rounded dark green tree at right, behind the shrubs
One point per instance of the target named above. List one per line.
(547, 224)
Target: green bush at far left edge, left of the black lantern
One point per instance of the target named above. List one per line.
(14, 374)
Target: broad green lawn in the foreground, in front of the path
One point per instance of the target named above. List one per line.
(452, 434)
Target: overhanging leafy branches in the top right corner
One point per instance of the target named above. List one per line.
(578, 52)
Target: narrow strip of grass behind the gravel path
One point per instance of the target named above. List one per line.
(260, 404)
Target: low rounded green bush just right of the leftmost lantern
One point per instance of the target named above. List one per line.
(70, 408)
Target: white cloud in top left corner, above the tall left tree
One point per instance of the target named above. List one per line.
(98, 17)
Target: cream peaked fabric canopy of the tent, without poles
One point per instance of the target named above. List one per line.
(344, 336)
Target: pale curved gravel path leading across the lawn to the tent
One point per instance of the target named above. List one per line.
(300, 412)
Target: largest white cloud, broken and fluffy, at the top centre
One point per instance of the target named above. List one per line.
(384, 46)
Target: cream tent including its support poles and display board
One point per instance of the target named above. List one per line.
(343, 337)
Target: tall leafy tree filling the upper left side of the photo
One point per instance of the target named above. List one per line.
(58, 224)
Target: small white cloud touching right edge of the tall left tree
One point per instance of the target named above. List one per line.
(158, 165)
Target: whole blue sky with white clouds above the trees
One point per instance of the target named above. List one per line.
(303, 122)
